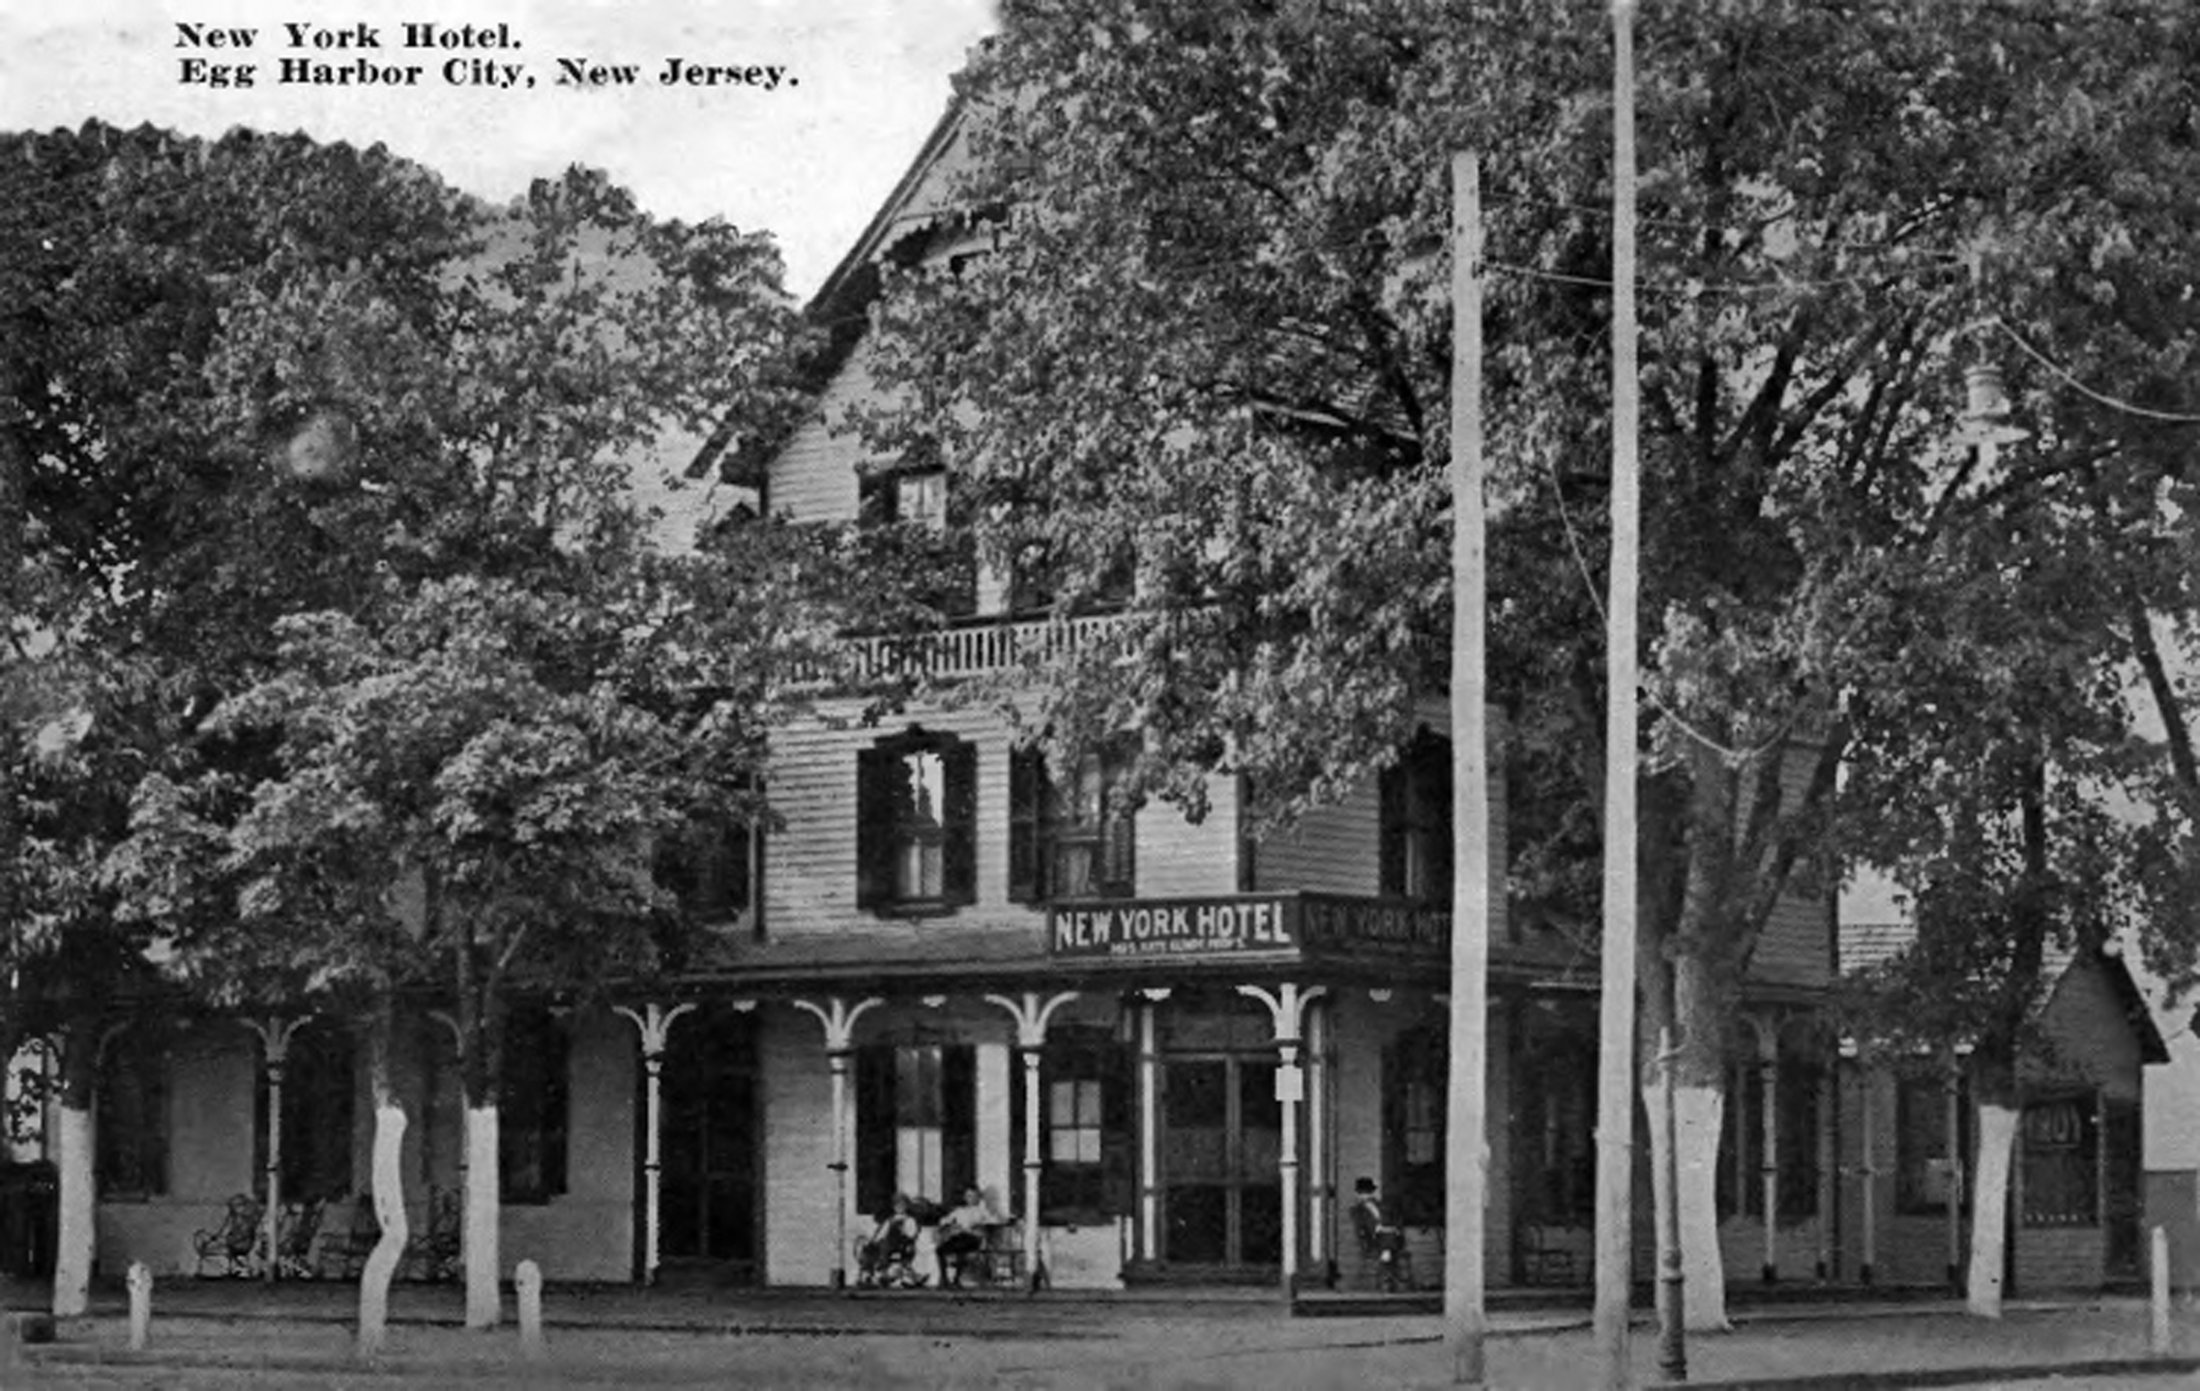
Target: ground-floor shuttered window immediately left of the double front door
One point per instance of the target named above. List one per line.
(1086, 1141)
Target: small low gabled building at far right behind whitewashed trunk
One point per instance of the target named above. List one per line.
(2078, 1194)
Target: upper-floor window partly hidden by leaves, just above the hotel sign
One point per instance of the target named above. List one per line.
(1070, 837)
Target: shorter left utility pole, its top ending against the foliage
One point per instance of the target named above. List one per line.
(1466, 1170)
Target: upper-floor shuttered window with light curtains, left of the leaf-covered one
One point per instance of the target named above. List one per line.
(916, 824)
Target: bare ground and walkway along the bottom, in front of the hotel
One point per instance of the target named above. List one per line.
(298, 1335)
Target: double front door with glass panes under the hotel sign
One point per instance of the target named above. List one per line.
(1222, 1141)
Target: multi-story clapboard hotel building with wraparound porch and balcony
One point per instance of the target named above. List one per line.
(1171, 1044)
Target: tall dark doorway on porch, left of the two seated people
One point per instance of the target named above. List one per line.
(712, 1148)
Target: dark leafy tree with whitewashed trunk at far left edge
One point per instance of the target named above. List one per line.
(142, 558)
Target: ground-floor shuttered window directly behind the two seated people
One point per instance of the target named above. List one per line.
(916, 1124)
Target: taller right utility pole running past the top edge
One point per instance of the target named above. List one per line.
(1616, 1014)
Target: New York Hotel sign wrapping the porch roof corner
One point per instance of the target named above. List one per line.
(1246, 925)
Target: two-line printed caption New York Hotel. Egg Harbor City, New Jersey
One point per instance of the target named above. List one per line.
(353, 56)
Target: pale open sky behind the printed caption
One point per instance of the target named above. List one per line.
(806, 153)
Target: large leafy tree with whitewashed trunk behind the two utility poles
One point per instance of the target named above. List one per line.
(1211, 351)
